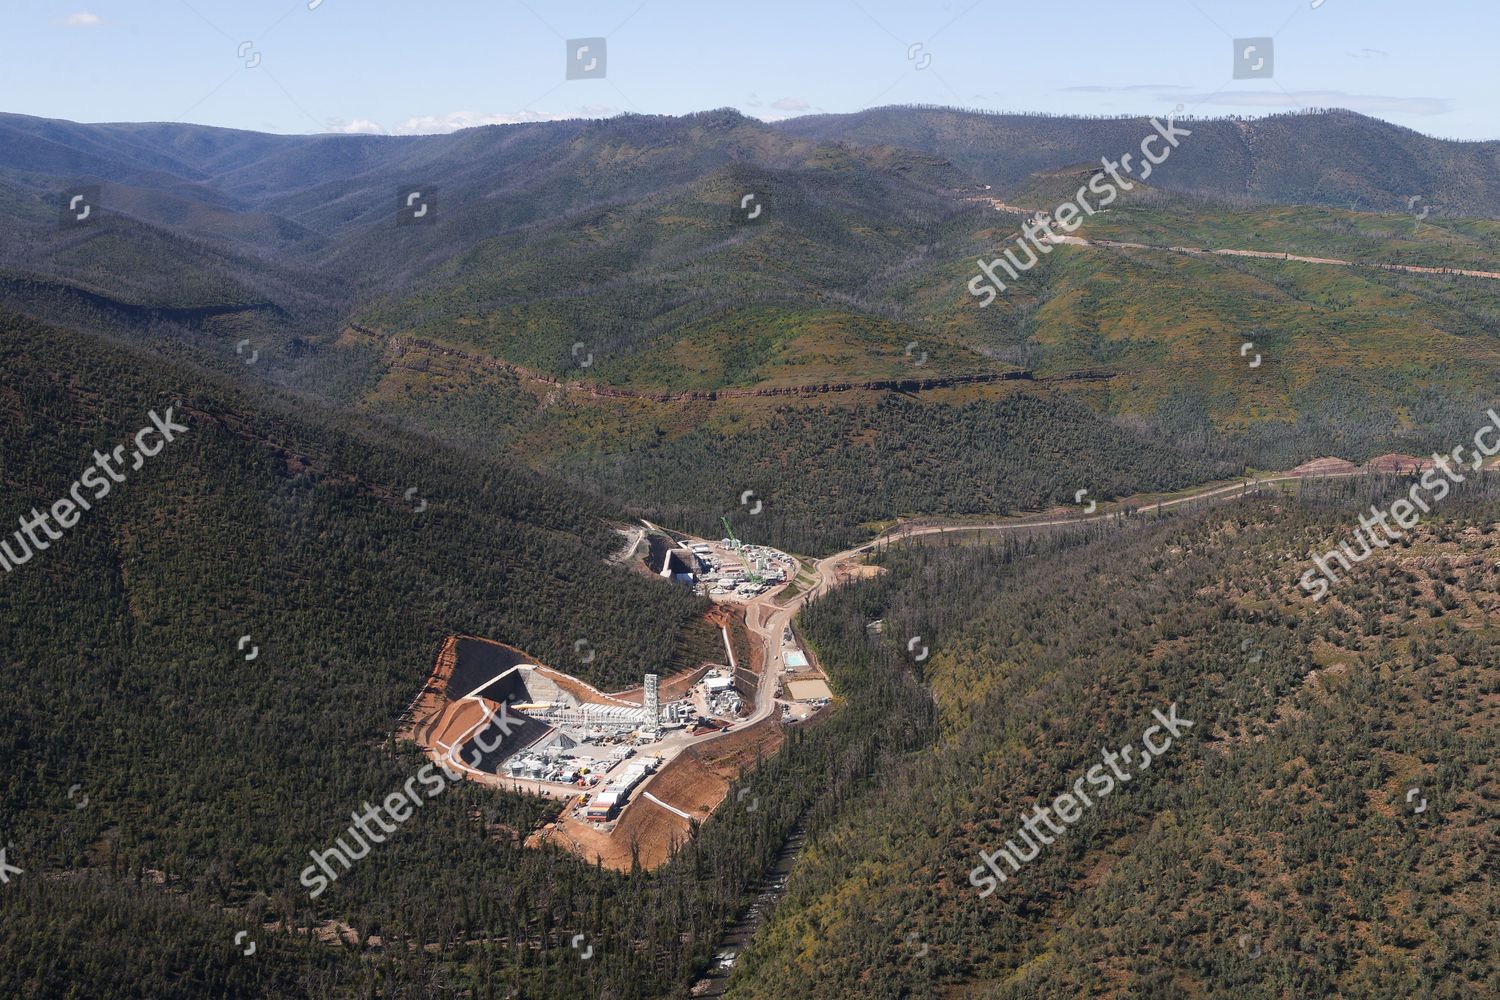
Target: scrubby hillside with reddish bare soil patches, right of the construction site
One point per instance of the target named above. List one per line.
(1325, 827)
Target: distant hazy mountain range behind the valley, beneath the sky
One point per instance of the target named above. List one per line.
(623, 254)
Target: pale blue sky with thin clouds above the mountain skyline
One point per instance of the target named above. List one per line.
(385, 67)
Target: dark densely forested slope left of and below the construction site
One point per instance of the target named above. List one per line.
(205, 674)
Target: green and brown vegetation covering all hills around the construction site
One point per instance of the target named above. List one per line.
(401, 434)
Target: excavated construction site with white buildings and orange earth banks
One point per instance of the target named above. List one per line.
(637, 768)
